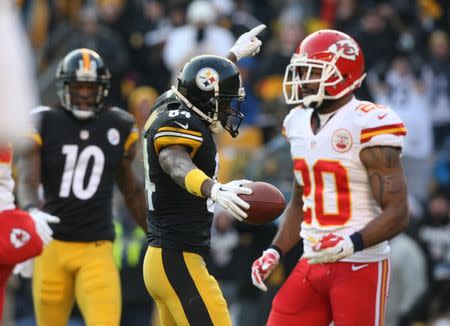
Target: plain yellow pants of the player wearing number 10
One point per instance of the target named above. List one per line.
(84, 271)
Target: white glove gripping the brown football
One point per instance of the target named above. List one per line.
(226, 195)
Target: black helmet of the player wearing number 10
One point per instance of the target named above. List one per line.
(82, 66)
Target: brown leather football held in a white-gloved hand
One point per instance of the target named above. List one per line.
(266, 203)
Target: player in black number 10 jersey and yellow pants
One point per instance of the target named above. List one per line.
(79, 151)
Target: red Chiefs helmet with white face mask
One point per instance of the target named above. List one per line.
(337, 55)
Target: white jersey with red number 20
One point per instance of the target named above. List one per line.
(336, 193)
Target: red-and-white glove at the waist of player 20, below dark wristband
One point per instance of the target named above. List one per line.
(331, 248)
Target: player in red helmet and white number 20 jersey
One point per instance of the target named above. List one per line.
(349, 192)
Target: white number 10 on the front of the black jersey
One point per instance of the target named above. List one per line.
(75, 171)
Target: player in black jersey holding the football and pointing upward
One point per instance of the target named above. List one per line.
(181, 165)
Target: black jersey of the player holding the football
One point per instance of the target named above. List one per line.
(177, 219)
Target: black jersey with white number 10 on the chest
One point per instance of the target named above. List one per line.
(79, 163)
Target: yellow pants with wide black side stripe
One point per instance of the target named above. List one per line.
(184, 292)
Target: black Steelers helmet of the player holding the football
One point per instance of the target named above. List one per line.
(211, 86)
